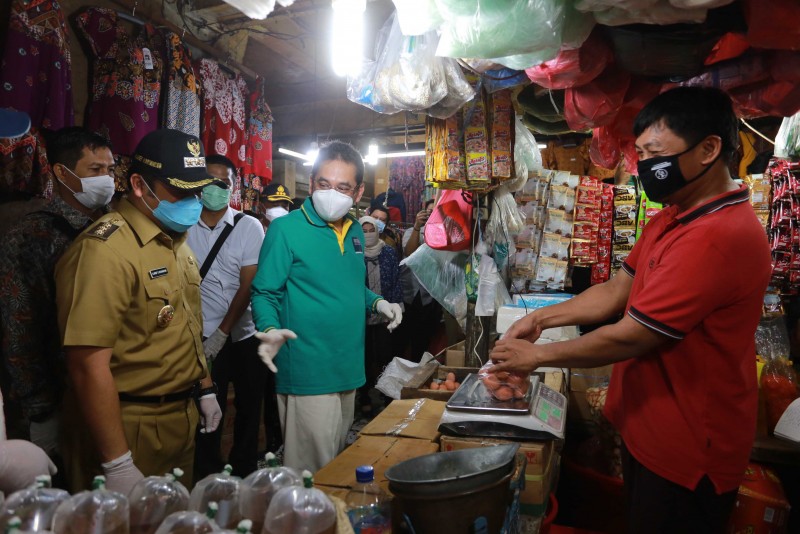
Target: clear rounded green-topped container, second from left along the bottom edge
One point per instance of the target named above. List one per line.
(98, 511)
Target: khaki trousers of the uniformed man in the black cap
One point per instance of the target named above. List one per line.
(160, 436)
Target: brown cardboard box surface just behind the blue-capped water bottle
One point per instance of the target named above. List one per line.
(381, 452)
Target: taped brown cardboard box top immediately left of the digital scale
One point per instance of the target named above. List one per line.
(408, 418)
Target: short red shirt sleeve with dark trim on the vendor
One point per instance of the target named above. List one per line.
(680, 289)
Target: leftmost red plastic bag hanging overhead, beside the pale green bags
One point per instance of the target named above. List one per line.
(572, 68)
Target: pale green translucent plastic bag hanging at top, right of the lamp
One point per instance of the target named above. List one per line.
(497, 28)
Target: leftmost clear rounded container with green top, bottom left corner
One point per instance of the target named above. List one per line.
(34, 506)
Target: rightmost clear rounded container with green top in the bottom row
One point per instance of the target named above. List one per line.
(304, 510)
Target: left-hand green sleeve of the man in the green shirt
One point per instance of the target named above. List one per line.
(269, 285)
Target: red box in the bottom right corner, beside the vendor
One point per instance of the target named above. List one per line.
(761, 505)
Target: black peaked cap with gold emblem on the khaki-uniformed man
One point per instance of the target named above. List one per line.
(173, 157)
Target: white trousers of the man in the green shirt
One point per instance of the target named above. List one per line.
(315, 427)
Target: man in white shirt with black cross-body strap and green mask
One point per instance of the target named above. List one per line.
(228, 329)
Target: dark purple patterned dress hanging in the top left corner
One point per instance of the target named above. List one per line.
(35, 74)
